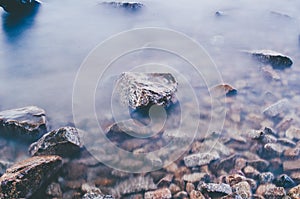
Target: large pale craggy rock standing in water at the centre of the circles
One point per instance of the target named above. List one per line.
(142, 89)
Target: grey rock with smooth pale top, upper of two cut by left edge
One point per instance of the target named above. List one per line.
(26, 124)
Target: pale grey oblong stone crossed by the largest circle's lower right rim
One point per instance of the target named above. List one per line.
(200, 159)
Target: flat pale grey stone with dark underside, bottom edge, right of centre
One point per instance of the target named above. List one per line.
(213, 188)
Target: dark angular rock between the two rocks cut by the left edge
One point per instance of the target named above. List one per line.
(64, 142)
